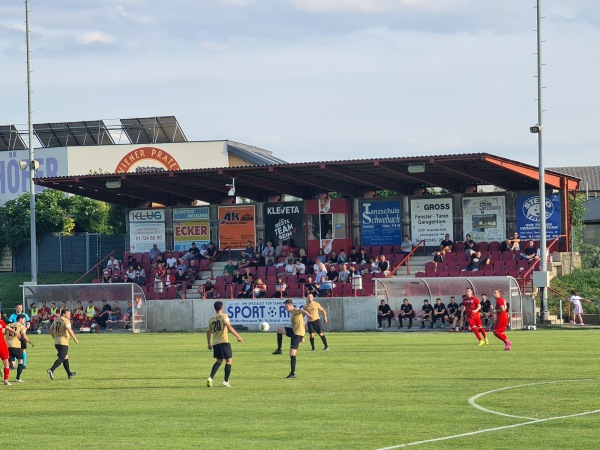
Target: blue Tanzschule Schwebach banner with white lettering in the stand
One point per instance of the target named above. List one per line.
(381, 222)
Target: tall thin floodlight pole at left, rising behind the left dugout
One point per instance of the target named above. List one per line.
(31, 155)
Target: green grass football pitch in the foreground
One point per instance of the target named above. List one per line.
(372, 390)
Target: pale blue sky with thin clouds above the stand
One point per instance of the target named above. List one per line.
(316, 80)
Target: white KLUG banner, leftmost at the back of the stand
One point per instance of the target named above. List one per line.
(146, 228)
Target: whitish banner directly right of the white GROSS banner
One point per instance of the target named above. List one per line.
(484, 218)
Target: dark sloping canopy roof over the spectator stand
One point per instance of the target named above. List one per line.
(350, 178)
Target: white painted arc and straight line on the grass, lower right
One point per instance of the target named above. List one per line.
(530, 421)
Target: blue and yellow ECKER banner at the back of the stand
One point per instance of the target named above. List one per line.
(190, 225)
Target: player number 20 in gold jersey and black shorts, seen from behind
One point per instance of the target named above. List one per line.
(218, 326)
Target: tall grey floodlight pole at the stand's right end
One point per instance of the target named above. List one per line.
(542, 187)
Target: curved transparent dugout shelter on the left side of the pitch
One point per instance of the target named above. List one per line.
(96, 292)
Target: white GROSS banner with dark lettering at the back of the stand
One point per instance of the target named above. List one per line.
(430, 220)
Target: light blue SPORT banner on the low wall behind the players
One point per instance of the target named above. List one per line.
(256, 311)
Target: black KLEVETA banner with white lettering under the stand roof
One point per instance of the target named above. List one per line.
(285, 221)
